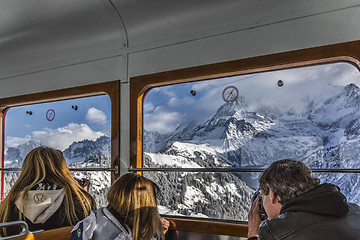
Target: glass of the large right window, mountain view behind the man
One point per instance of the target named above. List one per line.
(206, 142)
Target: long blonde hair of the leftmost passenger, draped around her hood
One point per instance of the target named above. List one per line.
(44, 164)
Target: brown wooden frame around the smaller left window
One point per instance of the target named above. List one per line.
(112, 89)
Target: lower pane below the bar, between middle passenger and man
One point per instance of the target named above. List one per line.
(205, 195)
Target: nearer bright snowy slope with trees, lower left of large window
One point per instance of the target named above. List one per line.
(213, 195)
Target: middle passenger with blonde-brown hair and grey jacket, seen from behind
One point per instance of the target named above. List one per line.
(131, 214)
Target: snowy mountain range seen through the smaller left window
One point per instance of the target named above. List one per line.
(82, 154)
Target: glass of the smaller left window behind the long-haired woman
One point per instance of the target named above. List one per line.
(80, 128)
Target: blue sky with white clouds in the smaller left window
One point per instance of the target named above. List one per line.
(89, 121)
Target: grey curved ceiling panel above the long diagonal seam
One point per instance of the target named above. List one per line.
(40, 34)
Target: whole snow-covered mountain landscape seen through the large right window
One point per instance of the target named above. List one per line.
(323, 132)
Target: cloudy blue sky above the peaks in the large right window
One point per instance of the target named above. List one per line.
(167, 107)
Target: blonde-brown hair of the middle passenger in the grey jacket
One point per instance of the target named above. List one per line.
(133, 198)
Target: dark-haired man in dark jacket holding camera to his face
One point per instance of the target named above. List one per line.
(299, 207)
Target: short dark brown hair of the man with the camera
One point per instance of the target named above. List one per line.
(287, 178)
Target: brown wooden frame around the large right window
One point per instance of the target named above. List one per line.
(139, 85)
